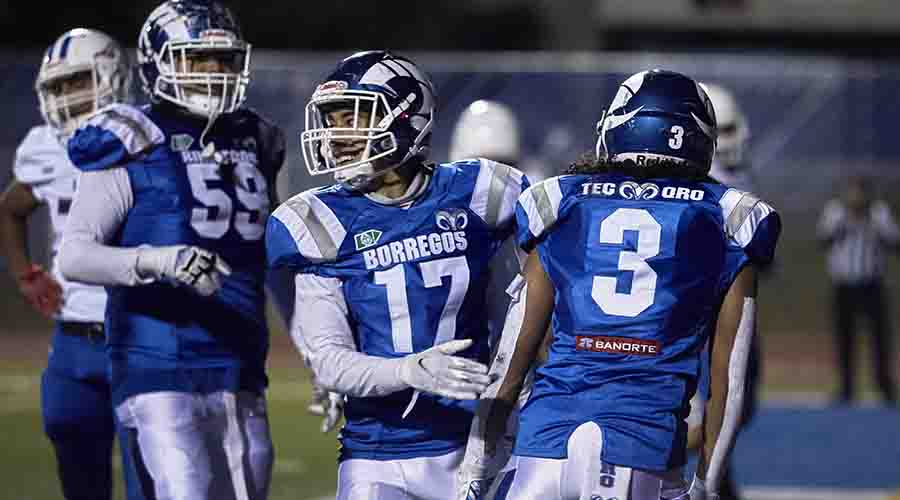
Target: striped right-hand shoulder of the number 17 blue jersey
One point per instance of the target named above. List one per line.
(496, 190)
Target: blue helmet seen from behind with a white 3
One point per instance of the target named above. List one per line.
(658, 116)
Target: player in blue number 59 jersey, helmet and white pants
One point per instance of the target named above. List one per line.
(169, 216)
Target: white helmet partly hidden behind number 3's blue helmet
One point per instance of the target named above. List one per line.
(734, 133)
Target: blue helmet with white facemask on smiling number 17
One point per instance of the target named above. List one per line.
(389, 106)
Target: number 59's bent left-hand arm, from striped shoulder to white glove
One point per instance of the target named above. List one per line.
(103, 149)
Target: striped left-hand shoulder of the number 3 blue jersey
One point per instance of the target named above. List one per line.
(538, 210)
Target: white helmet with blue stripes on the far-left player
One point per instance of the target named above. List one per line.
(64, 105)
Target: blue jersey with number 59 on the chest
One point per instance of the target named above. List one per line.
(162, 337)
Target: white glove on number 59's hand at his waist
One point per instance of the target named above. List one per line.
(199, 269)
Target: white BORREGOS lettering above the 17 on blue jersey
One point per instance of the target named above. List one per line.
(419, 247)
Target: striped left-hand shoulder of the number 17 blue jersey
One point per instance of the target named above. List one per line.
(312, 230)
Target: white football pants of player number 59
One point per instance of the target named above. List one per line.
(202, 446)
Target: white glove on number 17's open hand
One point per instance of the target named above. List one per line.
(437, 371)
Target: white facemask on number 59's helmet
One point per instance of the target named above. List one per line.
(204, 93)
